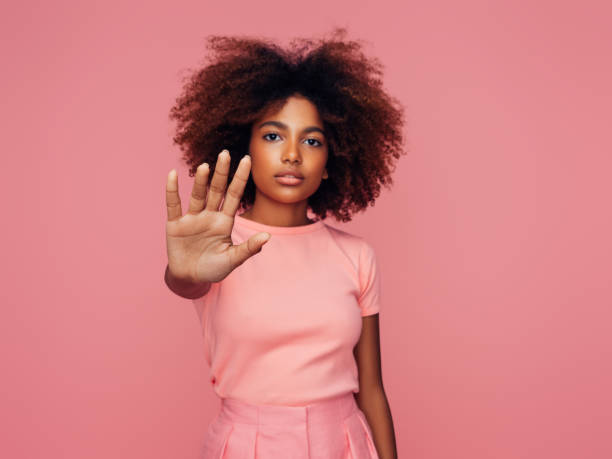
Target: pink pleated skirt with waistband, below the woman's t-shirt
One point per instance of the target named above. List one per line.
(330, 429)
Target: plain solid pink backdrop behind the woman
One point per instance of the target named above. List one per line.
(494, 243)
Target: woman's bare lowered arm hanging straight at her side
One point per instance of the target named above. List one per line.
(371, 397)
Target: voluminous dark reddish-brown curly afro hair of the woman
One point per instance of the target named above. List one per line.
(246, 76)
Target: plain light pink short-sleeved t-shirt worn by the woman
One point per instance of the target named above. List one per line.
(280, 329)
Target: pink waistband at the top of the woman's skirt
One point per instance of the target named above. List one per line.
(330, 410)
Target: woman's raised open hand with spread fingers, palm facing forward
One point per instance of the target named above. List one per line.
(199, 243)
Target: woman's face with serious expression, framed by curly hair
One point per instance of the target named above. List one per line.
(291, 139)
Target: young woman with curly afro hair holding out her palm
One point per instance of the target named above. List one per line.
(291, 329)
